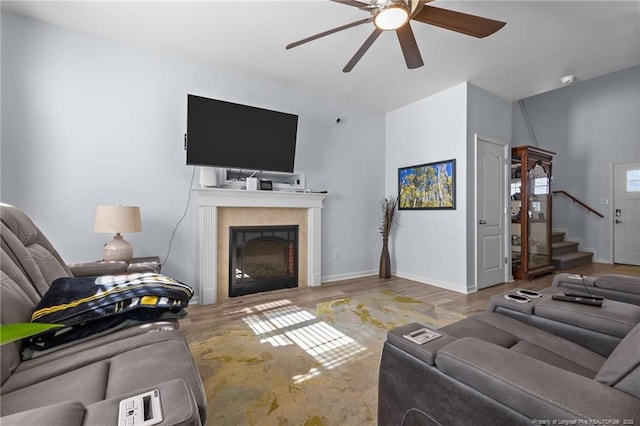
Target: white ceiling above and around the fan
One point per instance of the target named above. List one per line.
(542, 41)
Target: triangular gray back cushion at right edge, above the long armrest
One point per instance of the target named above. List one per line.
(622, 369)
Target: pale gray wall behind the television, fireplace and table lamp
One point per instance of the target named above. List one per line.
(89, 121)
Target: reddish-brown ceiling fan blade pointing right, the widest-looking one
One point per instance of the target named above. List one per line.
(464, 23)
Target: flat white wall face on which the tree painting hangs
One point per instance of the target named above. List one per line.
(430, 245)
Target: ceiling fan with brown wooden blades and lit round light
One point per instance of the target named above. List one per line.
(387, 15)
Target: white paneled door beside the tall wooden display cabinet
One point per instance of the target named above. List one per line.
(490, 213)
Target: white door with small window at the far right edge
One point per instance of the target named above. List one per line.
(626, 213)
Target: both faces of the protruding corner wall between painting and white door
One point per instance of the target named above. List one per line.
(437, 246)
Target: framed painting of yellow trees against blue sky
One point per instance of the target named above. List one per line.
(430, 186)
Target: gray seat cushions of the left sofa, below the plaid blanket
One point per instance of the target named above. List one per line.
(99, 373)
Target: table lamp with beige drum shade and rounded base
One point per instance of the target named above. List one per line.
(116, 220)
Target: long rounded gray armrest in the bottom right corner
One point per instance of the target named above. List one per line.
(538, 390)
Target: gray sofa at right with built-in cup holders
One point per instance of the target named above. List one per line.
(537, 361)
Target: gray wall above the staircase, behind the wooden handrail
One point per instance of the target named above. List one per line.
(590, 125)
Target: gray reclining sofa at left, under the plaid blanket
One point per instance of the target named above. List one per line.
(83, 382)
